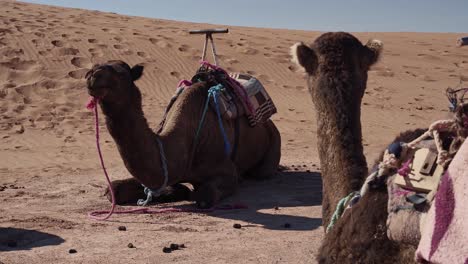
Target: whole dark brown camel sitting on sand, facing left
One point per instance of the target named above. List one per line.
(203, 163)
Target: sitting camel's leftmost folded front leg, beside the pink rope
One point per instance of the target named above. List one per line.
(125, 191)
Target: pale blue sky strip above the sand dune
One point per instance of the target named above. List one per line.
(325, 15)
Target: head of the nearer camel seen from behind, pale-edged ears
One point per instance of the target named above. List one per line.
(337, 56)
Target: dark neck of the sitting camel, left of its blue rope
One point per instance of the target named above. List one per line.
(137, 143)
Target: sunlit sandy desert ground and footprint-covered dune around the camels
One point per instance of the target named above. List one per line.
(50, 175)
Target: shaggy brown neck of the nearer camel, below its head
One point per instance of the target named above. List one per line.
(340, 146)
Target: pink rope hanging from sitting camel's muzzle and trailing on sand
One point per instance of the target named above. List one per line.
(92, 105)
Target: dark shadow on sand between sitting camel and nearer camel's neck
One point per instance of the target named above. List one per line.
(268, 201)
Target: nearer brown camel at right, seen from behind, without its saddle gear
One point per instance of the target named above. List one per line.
(337, 66)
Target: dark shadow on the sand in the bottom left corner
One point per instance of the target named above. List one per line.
(16, 239)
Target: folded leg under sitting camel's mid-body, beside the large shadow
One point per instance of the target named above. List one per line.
(220, 182)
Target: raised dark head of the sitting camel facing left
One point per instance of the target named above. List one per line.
(113, 80)
